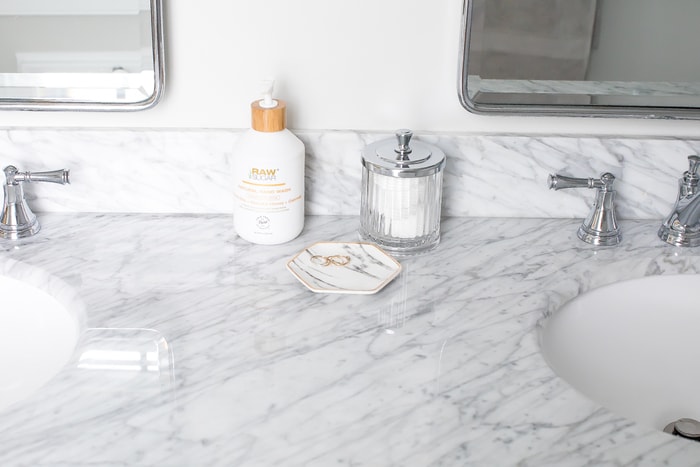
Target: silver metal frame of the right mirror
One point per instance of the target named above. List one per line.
(648, 112)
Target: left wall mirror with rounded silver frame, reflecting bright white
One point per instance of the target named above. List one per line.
(101, 55)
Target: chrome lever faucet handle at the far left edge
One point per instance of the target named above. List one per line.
(17, 219)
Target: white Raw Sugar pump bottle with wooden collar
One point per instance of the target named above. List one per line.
(268, 170)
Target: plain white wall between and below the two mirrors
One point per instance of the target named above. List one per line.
(362, 64)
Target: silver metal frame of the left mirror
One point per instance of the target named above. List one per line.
(157, 41)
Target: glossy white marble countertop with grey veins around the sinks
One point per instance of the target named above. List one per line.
(442, 367)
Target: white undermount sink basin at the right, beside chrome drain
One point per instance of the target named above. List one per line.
(633, 347)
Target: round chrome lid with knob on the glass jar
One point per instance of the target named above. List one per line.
(401, 158)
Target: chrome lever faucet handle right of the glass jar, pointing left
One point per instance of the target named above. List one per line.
(600, 227)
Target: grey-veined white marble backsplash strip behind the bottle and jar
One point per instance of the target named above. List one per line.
(188, 171)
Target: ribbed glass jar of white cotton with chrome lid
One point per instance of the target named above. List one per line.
(401, 194)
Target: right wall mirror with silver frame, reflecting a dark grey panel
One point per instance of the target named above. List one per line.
(630, 58)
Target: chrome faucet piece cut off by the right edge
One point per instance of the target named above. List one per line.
(682, 226)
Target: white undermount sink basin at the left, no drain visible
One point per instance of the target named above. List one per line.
(38, 334)
